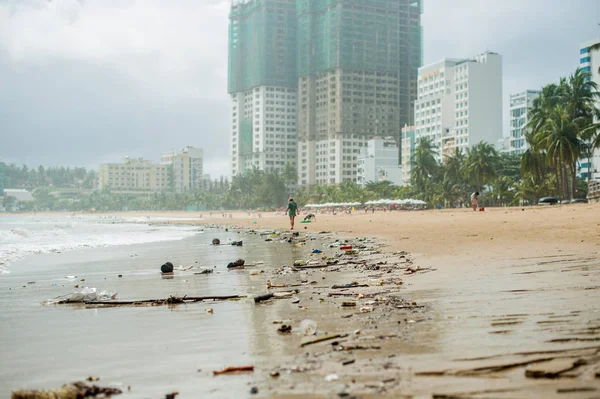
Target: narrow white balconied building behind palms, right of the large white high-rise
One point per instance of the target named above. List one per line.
(519, 107)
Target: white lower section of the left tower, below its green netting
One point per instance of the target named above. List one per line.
(263, 129)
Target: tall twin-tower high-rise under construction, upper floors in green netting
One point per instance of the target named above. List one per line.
(320, 77)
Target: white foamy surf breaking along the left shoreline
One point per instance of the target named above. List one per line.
(21, 236)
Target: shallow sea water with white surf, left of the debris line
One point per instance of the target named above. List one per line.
(153, 350)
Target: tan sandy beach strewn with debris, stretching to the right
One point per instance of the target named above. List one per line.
(504, 304)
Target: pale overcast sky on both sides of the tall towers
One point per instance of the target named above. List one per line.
(90, 81)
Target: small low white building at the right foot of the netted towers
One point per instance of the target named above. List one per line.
(379, 161)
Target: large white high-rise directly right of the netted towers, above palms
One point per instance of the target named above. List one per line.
(459, 102)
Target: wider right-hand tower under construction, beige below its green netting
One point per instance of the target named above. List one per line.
(357, 69)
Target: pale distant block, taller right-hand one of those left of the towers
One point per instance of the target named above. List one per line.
(185, 169)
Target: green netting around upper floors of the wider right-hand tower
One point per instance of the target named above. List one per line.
(381, 35)
